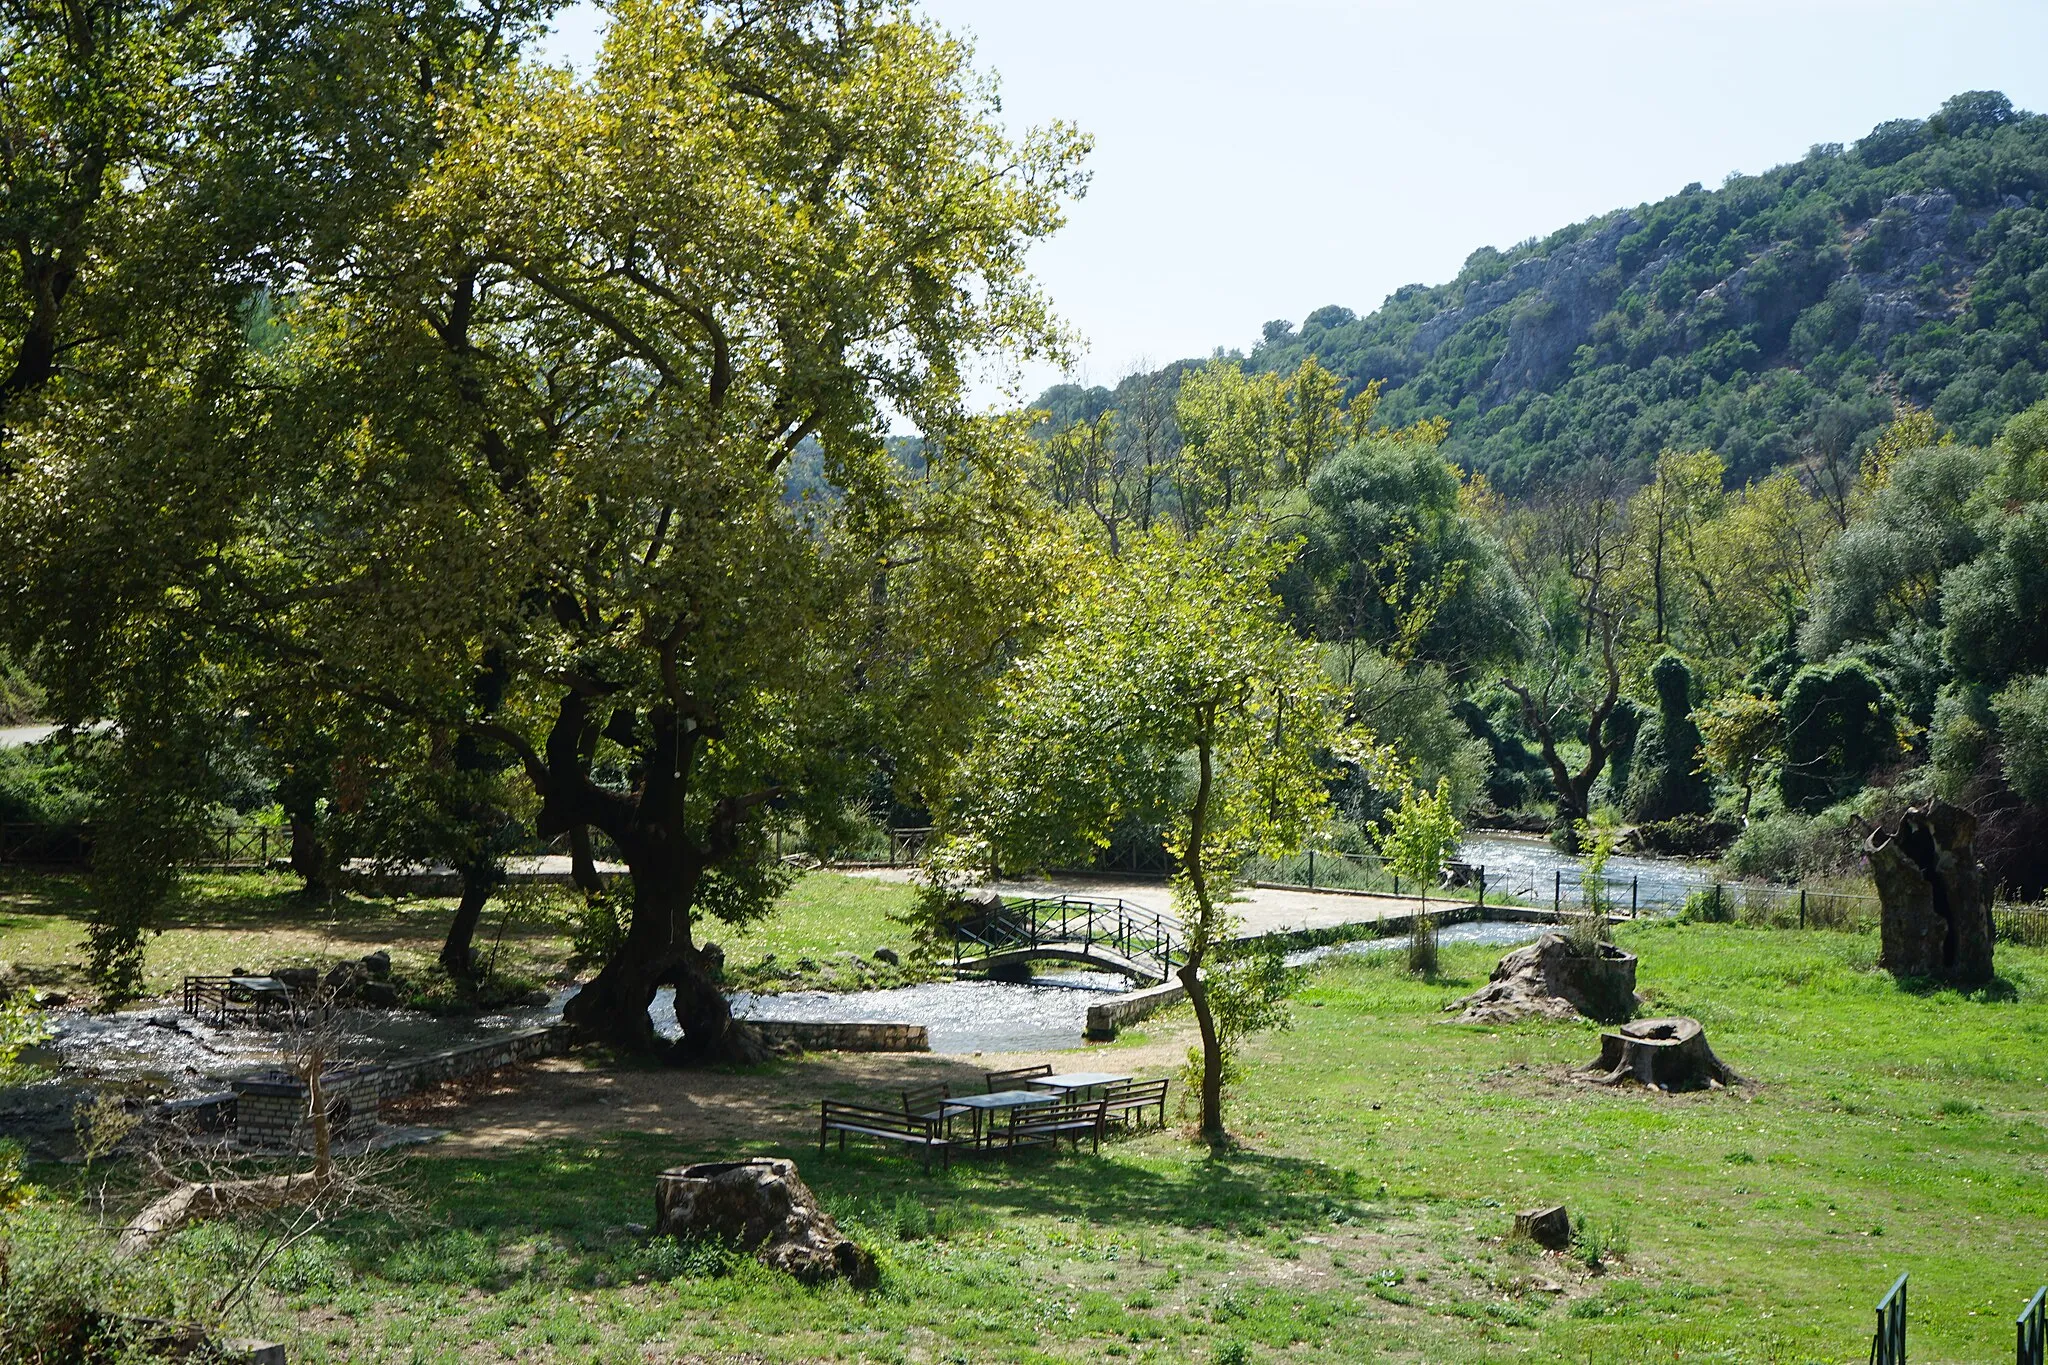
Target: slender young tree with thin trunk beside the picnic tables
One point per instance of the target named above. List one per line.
(1172, 691)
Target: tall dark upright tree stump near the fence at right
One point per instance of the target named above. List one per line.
(1936, 918)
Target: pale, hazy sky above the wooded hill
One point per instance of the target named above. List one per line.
(1258, 161)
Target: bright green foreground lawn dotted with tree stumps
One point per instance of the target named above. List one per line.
(1363, 1219)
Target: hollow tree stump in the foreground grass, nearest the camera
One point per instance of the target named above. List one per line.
(761, 1206)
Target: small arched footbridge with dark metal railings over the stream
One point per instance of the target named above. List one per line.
(1109, 934)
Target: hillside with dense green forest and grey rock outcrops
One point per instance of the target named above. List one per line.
(1770, 320)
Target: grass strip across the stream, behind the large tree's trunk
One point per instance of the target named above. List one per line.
(261, 922)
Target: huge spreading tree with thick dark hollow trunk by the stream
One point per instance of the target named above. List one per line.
(560, 421)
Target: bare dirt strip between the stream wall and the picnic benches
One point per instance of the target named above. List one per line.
(566, 1100)
